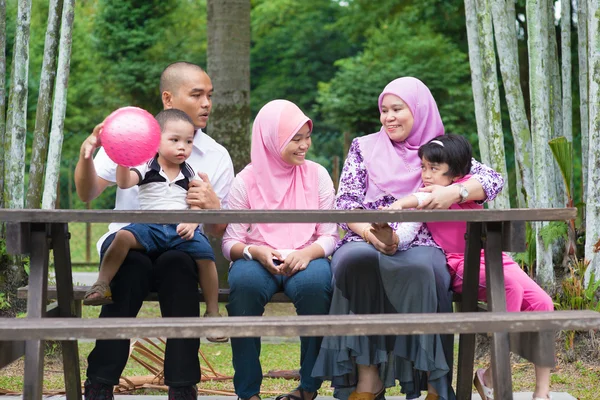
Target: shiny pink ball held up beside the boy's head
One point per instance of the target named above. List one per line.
(130, 136)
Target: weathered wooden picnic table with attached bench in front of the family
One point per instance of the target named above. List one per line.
(34, 232)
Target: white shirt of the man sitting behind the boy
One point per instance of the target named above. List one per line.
(207, 156)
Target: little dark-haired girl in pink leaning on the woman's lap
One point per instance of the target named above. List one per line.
(445, 161)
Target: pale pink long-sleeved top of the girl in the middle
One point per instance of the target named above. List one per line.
(325, 235)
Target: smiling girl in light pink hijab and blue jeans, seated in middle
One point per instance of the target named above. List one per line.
(268, 258)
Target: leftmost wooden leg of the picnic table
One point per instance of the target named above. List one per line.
(36, 307)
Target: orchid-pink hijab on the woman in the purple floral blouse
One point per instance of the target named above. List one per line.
(394, 168)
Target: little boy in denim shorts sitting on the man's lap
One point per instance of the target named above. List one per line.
(163, 184)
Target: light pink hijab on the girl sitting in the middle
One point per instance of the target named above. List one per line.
(271, 183)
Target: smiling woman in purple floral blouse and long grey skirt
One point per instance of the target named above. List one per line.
(396, 267)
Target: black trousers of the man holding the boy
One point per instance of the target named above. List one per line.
(174, 275)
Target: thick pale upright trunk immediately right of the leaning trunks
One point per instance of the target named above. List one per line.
(539, 86)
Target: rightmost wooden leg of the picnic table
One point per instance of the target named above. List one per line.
(497, 302)
